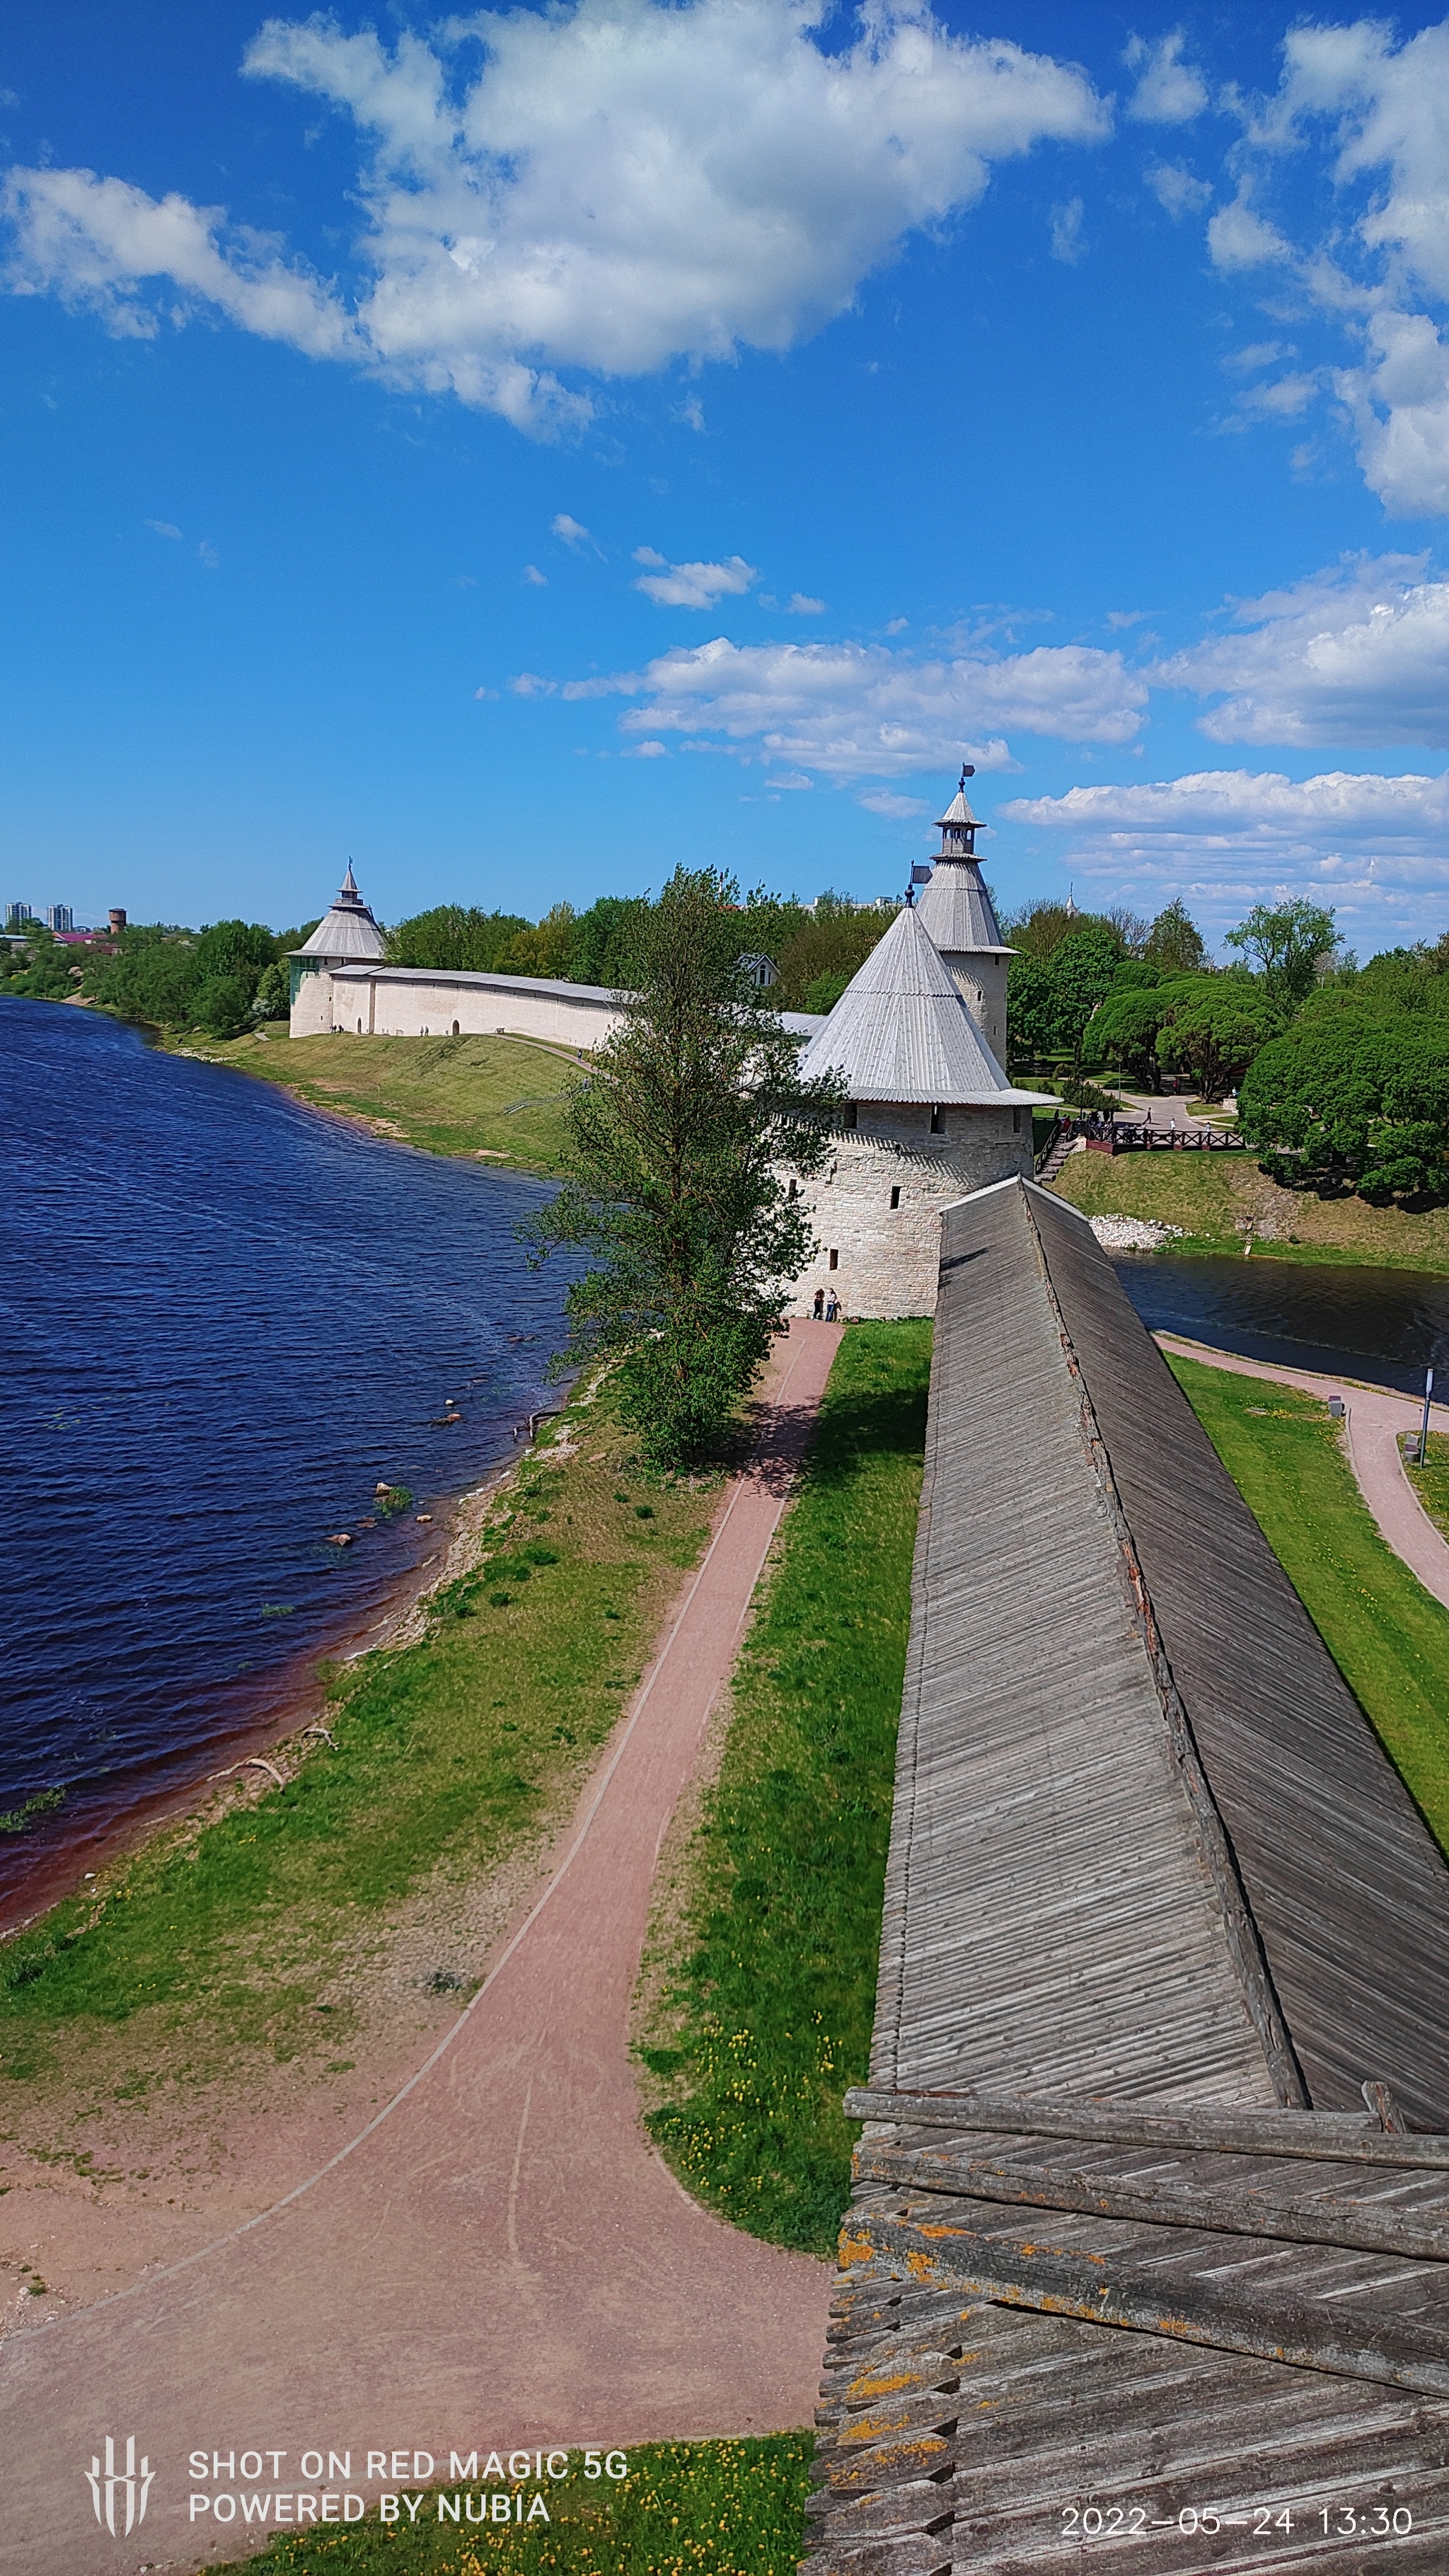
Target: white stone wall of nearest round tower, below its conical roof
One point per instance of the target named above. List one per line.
(888, 1258)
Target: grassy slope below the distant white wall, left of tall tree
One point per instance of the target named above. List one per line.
(450, 1096)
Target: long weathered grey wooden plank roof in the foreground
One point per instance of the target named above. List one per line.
(1125, 2237)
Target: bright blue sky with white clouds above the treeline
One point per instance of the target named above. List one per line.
(520, 452)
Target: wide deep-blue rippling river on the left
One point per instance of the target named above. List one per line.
(223, 1323)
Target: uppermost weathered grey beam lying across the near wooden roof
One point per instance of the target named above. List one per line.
(1339, 2134)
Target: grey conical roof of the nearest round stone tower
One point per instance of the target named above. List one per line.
(901, 1032)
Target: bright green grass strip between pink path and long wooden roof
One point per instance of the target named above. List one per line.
(770, 2008)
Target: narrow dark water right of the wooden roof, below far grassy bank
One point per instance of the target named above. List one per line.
(1378, 1325)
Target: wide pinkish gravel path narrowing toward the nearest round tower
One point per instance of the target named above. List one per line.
(499, 2260)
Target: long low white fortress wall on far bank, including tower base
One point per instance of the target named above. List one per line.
(411, 1003)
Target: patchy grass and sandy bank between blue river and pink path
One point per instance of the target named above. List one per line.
(195, 2031)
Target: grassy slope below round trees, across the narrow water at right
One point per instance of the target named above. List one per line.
(1213, 1194)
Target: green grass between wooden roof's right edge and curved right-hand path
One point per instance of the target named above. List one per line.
(1383, 1629)
